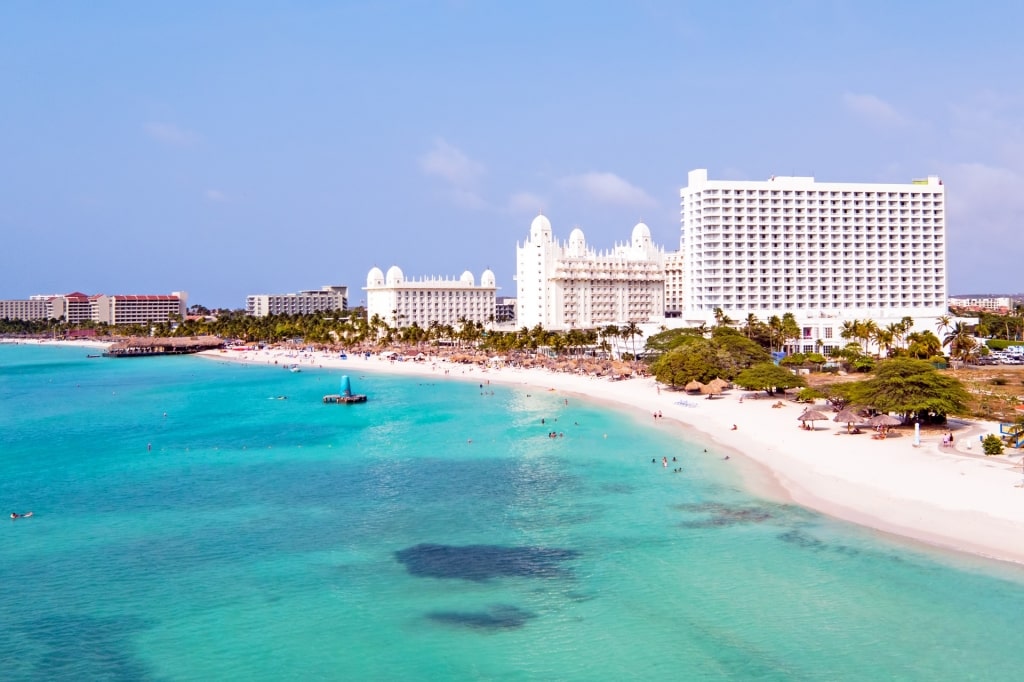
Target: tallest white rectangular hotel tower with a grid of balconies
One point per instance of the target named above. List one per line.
(827, 252)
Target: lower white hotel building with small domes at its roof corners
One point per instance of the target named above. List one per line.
(402, 303)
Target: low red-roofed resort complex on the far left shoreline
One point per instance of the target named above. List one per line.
(119, 310)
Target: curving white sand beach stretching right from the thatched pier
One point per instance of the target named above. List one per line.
(954, 498)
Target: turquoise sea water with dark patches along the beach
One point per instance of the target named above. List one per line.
(266, 539)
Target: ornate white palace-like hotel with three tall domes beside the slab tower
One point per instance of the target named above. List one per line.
(570, 285)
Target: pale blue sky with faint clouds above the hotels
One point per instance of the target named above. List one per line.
(228, 149)
